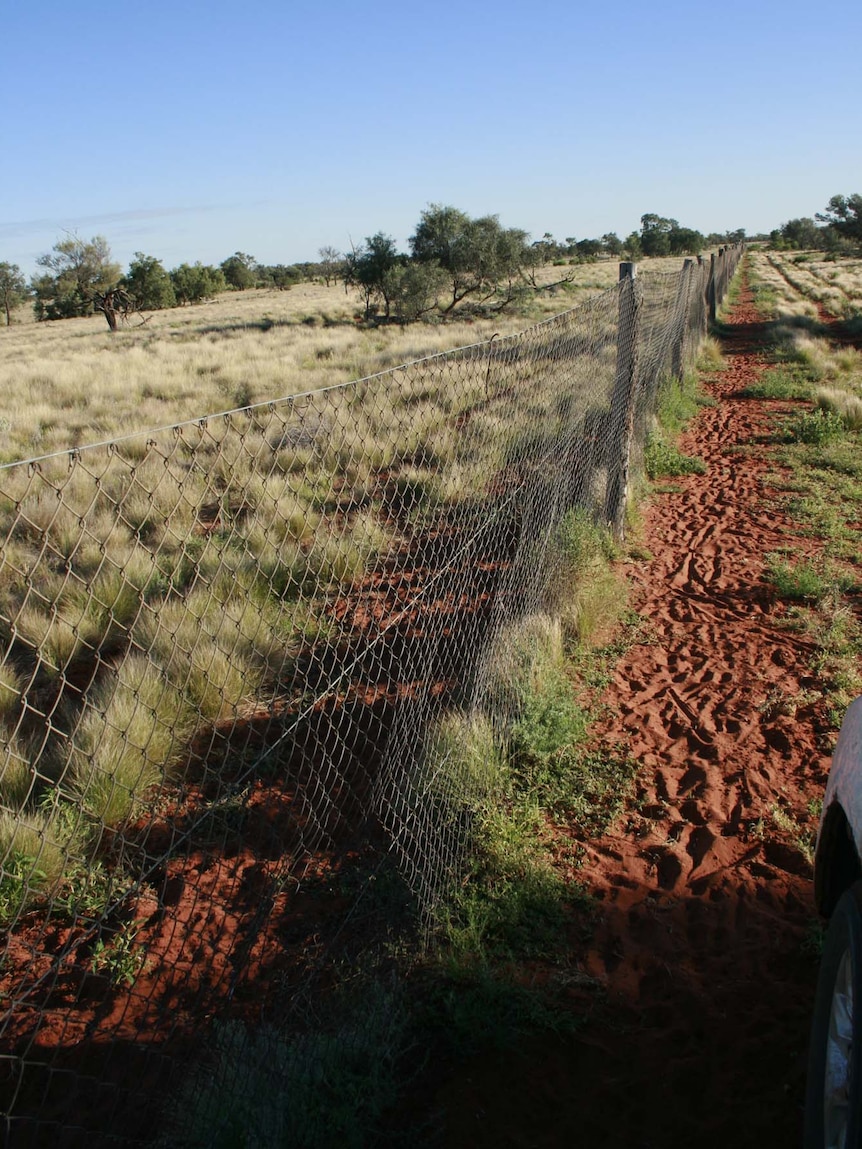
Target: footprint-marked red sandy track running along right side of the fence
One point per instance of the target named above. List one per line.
(703, 950)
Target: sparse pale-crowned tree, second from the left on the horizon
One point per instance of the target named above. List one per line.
(75, 272)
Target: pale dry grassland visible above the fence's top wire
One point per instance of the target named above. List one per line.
(72, 382)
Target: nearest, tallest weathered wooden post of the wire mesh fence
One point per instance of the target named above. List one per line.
(624, 400)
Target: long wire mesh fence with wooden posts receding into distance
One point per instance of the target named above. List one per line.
(230, 651)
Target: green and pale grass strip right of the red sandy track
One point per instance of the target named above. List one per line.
(822, 477)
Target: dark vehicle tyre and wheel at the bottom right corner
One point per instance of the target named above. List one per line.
(834, 1092)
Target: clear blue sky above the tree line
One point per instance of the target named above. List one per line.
(194, 129)
